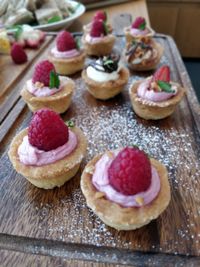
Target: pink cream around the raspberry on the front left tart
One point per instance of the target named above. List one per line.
(30, 155)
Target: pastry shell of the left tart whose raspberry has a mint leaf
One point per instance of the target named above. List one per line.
(58, 102)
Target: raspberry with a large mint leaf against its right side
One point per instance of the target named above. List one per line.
(42, 72)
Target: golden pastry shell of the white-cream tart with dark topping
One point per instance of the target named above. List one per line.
(106, 90)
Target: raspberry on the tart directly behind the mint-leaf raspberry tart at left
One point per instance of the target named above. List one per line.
(65, 41)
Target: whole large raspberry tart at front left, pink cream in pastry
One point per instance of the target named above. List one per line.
(48, 153)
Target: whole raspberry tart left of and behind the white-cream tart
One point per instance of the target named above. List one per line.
(67, 56)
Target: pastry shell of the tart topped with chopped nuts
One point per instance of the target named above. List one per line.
(149, 64)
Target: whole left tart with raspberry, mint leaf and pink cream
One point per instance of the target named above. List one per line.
(47, 89)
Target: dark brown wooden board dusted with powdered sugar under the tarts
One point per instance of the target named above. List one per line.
(58, 223)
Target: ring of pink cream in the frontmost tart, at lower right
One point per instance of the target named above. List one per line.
(101, 182)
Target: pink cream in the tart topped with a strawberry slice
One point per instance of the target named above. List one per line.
(144, 91)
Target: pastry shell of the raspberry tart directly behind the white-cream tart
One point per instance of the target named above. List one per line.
(101, 48)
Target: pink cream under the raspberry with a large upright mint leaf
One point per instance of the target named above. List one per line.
(45, 90)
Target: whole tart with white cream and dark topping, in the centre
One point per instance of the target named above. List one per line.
(105, 77)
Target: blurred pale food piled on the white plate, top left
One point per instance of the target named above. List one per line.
(40, 12)
